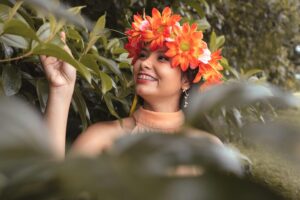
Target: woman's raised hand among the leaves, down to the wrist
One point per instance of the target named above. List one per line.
(60, 74)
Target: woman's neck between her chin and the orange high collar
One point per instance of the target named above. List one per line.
(162, 106)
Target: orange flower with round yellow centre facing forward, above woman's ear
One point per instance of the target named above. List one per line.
(186, 47)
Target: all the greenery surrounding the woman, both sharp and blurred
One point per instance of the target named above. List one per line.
(258, 40)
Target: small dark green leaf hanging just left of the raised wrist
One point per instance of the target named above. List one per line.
(42, 90)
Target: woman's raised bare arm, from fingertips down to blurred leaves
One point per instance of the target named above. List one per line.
(61, 77)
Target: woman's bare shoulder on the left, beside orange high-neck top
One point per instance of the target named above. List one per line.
(100, 136)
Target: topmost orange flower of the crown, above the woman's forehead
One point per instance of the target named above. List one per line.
(160, 27)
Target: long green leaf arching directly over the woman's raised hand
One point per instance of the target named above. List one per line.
(56, 51)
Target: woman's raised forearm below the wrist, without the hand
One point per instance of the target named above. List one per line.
(56, 116)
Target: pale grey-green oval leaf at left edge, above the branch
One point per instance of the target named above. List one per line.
(14, 41)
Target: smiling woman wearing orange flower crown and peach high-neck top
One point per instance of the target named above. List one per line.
(163, 53)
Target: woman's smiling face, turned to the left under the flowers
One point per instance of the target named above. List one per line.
(154, 76)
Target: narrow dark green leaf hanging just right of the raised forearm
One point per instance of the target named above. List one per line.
(81, 107)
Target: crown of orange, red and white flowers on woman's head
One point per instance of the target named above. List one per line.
(184, 44)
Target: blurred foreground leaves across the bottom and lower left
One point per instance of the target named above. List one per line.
(140, 166)
